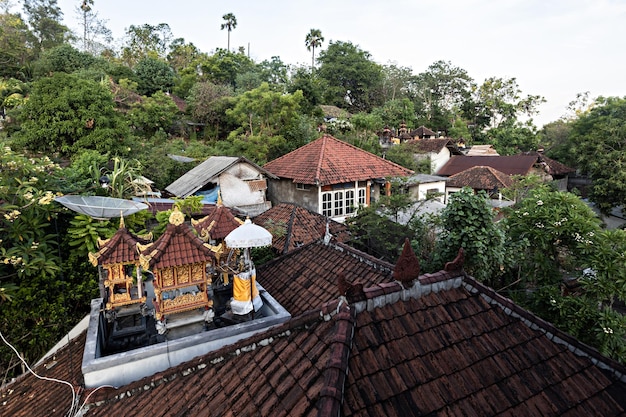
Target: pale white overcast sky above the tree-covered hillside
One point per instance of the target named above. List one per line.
(554, 48)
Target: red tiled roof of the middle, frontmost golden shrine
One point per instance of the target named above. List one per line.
(190, 248)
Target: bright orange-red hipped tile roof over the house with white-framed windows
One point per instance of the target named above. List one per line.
(328, 160)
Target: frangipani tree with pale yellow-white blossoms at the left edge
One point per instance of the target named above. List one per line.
(31, 263)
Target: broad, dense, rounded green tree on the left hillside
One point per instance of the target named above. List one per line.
(65, 114)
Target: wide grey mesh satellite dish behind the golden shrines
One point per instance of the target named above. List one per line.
(101, 208)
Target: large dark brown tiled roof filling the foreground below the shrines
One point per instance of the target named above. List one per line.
(445, 346)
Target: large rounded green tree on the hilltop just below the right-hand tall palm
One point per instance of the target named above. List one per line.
(352, 79)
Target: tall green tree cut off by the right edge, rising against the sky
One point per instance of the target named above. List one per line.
(598, 139)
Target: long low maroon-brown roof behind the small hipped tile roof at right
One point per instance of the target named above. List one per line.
(510, 165)
